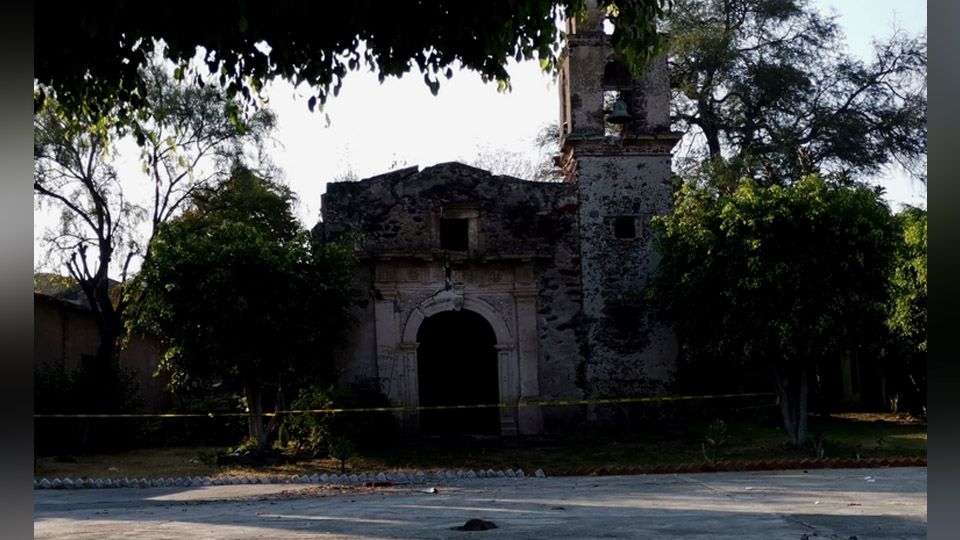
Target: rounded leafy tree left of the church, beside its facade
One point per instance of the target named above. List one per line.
(243, 298)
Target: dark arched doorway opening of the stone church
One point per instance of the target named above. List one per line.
(457, 365)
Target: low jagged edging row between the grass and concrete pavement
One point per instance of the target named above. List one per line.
(400, 478)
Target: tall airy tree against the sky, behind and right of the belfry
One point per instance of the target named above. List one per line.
(766, 86)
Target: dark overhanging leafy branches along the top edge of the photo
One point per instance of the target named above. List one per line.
(88, 56)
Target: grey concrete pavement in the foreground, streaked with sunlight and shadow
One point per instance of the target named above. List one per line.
(819, 504)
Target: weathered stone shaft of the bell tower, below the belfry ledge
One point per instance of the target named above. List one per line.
(629, 352)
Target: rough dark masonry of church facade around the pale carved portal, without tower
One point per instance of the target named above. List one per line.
(521, 227)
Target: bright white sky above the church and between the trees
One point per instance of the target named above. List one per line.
(376, 127)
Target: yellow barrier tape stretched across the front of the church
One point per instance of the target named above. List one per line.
(412, 408)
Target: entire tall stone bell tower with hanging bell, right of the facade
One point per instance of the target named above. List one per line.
(616, 146)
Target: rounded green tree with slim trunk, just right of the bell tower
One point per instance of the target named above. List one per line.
(778, 280)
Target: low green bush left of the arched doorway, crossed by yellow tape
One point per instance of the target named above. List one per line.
(315, 433)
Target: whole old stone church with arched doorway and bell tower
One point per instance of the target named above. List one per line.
(486, 289)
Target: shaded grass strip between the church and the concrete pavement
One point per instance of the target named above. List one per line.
(840, 436)
